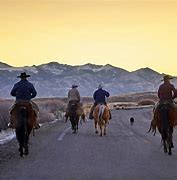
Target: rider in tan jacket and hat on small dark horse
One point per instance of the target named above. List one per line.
(74, 98)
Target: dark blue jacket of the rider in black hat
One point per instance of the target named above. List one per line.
(23, 90)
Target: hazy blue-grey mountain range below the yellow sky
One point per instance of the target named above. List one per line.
(54, 79)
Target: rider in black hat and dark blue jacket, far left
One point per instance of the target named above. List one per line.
(24, 91)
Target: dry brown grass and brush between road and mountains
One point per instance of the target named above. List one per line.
(51, 108)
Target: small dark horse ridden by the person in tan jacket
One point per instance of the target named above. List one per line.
(73, 115)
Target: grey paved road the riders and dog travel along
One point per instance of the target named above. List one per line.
(126, 153)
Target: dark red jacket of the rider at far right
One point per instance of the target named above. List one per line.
(166, 92)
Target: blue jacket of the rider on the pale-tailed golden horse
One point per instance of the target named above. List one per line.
(99, 96)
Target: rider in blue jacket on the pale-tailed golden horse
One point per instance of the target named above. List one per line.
(99, 97)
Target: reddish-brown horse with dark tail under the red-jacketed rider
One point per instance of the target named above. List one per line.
(165, 118)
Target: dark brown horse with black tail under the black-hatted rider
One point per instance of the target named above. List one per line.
(24, 118)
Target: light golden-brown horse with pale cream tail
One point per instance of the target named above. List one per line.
(101, 117)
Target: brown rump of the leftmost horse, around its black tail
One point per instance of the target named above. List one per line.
(30, 113)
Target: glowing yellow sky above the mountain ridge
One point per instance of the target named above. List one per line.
(129, 34)
